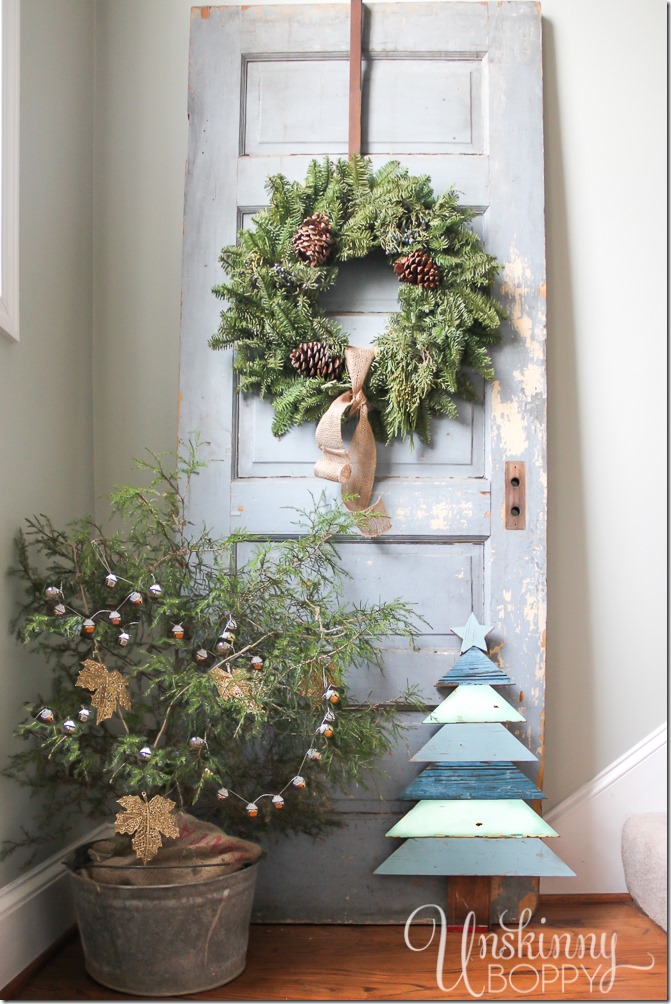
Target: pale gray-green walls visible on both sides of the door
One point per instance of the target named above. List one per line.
(101, 231)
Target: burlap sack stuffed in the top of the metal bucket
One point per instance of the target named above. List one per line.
(179, 861)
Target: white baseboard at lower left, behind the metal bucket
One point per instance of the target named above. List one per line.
(36, 910)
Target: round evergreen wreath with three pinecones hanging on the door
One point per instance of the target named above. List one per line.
(288, 350)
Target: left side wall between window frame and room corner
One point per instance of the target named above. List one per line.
(47, 405)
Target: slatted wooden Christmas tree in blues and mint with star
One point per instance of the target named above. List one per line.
(472, 821)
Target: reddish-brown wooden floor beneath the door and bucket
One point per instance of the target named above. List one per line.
(626, 961)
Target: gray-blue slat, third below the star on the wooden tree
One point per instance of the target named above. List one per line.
(482, 741)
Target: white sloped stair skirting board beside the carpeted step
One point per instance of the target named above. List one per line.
(590, 822)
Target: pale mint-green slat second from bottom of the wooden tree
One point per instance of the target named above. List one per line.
(475, 818)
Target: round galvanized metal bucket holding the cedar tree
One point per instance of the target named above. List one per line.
(161, 941)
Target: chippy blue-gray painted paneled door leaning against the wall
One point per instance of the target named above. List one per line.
(453, 91)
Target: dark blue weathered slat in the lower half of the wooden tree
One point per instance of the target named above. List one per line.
(501, 780)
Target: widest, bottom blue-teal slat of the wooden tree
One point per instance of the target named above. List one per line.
(463, 857)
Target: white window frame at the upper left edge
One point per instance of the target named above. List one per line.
(10, 170)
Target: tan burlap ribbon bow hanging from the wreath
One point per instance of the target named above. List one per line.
(355, 469)
